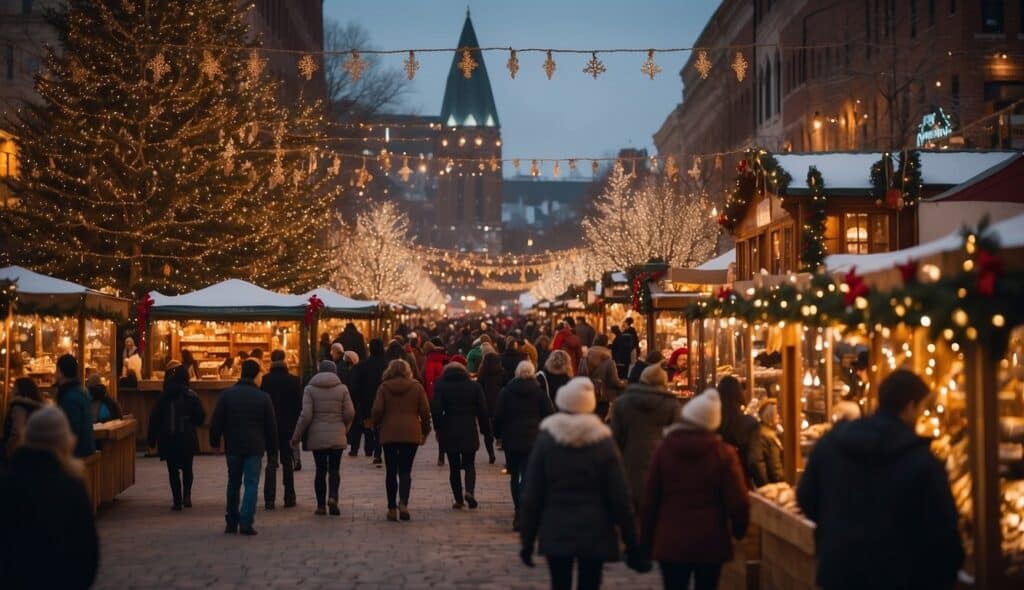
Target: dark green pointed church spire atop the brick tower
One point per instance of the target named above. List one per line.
(470, 103)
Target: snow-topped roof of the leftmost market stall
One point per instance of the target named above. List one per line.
(40, 293)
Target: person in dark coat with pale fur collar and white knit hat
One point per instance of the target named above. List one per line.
(576, 499)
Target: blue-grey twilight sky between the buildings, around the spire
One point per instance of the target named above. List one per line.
(573, 114)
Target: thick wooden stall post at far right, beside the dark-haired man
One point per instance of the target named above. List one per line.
(984, 460)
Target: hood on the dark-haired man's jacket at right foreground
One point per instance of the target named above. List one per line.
(879, 438)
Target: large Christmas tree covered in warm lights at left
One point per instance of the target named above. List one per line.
(160, 157)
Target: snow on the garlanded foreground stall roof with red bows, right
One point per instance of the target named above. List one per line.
(1010, 234)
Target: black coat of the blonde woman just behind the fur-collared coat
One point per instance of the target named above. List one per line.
(522, 407)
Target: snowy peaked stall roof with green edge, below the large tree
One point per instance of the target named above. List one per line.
(233, 299)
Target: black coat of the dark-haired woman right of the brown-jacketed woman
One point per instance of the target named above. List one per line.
(458, 410)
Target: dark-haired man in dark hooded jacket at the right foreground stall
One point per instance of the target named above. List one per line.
(907, 537)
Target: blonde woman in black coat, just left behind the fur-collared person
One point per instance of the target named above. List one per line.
(521, 408)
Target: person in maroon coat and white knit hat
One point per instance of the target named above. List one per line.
(696, 500)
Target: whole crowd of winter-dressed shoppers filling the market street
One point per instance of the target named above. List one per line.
(600, 453)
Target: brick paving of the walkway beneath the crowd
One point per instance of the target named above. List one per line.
(146, 545)
